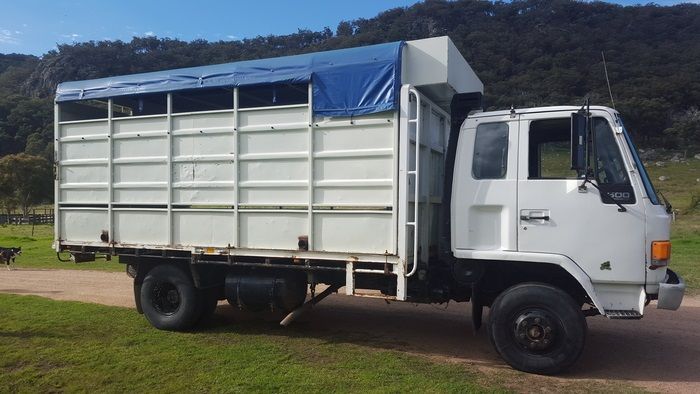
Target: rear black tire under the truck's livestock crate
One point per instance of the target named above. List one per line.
(169, 299)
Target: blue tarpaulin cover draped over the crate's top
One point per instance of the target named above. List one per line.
(346, 82)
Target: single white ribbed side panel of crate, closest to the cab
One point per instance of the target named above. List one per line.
(354, 179)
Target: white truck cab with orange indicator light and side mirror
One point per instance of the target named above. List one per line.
(560, 187)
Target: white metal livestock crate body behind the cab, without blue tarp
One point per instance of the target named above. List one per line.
(267, 178)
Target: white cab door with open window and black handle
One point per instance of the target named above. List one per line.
(555, 216)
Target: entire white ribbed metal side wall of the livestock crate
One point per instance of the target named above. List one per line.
(253, 178)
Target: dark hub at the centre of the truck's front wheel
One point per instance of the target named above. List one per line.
(534, 330)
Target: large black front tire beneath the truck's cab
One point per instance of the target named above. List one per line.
(537, 328)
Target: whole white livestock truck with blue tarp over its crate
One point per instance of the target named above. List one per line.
(372, 170)
